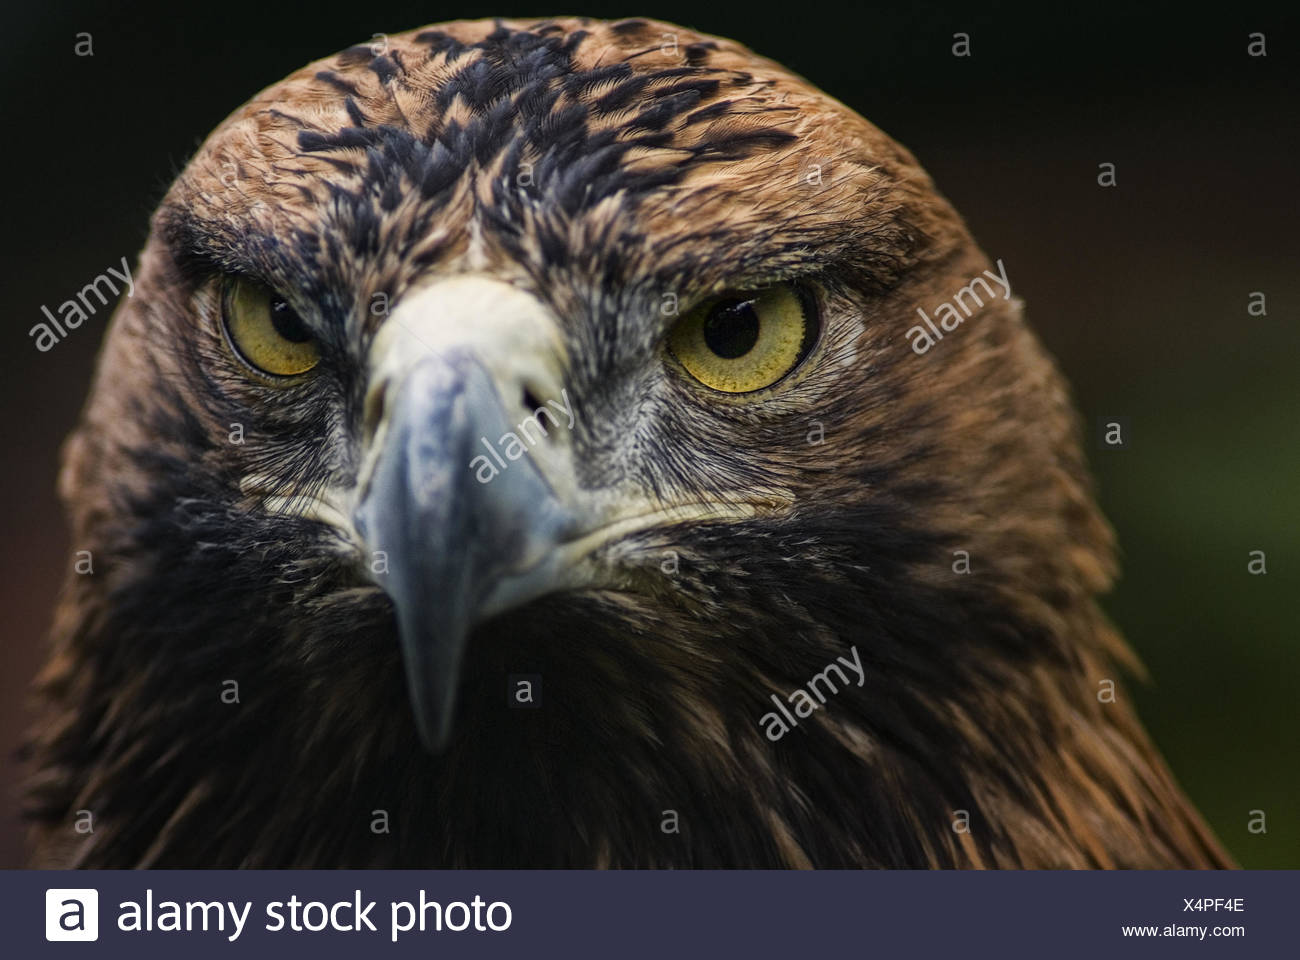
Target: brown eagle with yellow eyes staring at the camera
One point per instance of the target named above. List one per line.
(518, 452)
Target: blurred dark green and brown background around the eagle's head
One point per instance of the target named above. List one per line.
(1139, 291)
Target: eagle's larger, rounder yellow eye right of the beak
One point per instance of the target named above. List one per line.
(746, 341)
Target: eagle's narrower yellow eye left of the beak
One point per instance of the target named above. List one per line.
(265, 331)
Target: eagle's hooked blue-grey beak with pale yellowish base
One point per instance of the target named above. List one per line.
(460, 524)
